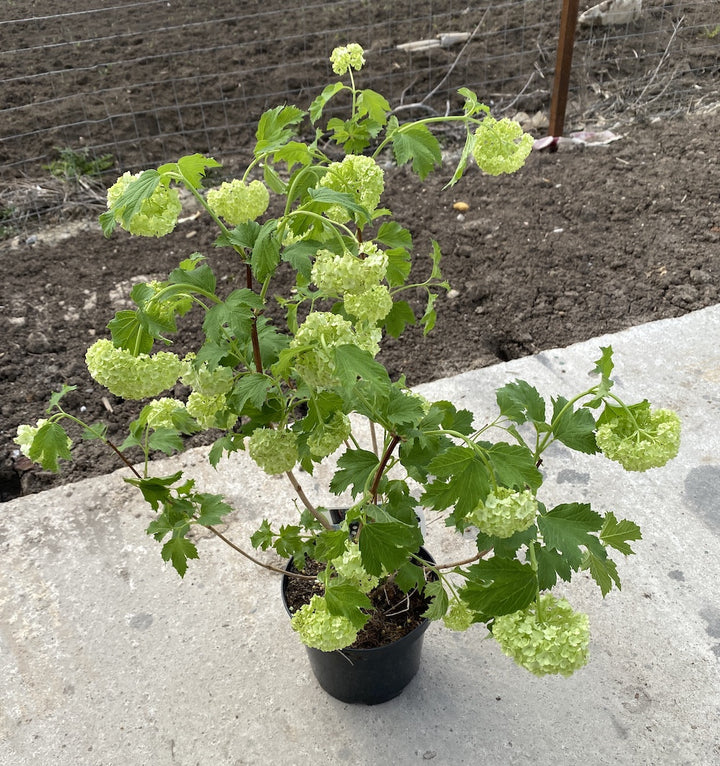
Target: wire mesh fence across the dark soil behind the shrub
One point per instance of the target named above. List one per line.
(131, 84)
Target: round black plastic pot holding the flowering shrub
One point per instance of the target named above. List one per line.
(368, 676)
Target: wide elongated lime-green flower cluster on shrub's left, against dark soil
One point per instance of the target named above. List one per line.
(132, 377)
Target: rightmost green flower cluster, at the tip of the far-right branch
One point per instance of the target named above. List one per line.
(648, 441)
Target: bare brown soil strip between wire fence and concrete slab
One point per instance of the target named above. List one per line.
(582, 242)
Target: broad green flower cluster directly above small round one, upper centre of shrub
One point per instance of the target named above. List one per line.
(335, 275)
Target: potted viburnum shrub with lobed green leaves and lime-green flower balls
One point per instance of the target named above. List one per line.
(290, 392)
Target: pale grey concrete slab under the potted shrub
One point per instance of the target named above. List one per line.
(109, 659)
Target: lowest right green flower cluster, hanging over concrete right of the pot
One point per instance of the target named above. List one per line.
(549, 639)
